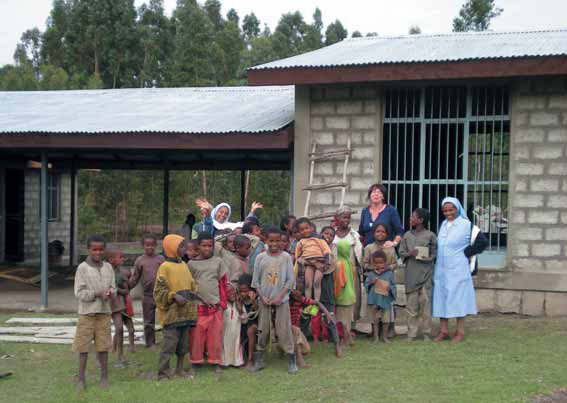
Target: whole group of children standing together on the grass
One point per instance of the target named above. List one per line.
(224, 299)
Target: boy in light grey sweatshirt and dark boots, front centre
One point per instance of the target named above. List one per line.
(273, 279)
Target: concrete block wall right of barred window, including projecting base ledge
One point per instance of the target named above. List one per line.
(535, 283)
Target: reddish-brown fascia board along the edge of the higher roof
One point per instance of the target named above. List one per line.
(485, 68)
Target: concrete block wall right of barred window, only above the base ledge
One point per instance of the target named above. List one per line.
(538, 176)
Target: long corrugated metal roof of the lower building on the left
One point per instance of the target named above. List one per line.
(176, 110)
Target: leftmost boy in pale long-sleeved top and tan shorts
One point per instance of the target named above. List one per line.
(94, 286)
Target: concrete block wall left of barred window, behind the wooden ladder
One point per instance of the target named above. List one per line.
(332, 115)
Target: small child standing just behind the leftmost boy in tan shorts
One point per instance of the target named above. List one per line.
(118, 306)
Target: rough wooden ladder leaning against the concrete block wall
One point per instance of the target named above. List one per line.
(314, 157)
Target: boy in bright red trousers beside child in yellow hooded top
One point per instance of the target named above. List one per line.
(210, 274)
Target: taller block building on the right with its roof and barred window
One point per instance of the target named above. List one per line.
(484, 120)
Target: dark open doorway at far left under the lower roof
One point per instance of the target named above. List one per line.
(14, 203)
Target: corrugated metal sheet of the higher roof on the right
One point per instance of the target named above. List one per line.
(451, 47)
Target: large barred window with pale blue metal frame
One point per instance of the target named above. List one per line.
(449, 141)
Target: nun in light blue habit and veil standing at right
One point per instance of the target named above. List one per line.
(453, 290)
